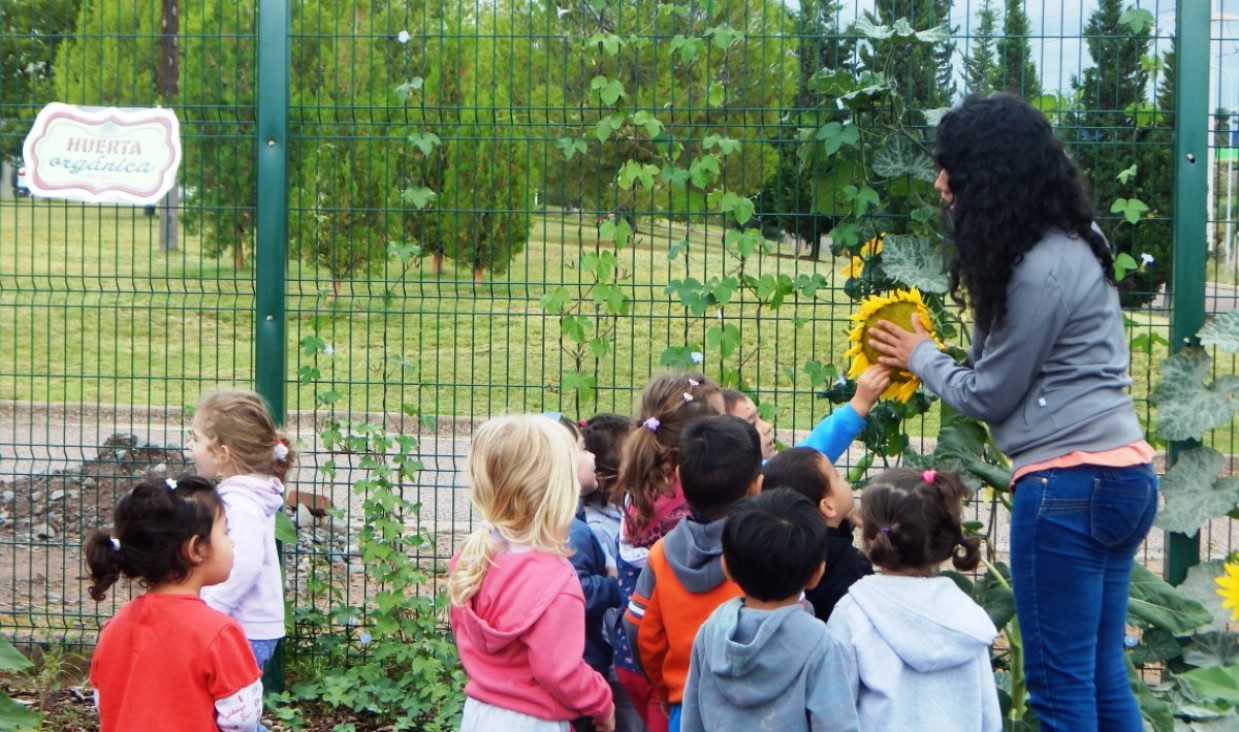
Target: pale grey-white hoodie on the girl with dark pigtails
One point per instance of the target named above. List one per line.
(922, 656)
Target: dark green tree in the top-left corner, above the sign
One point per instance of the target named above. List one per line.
(30, 34)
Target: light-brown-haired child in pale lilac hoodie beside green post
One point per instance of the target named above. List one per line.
(236, 439)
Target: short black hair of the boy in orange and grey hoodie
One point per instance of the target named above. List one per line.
(720, 458)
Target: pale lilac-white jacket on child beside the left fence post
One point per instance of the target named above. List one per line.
(253, 595)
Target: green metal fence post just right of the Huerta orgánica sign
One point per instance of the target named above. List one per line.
(272, 259)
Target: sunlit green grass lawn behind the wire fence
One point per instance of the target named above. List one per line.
(91, 312)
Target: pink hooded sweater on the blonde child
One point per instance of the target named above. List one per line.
(522, 640)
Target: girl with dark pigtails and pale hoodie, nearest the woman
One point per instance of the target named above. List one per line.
(921, 646)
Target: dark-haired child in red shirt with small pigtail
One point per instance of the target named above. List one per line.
(167, 661)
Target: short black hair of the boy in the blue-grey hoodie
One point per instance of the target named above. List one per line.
(774, 543)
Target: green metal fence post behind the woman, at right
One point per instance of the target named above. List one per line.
(1193, 34)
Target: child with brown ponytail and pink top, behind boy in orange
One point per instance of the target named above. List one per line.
(652, 500)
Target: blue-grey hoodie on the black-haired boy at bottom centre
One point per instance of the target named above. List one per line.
(779, 671)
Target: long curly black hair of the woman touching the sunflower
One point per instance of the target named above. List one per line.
(1013, 183)
